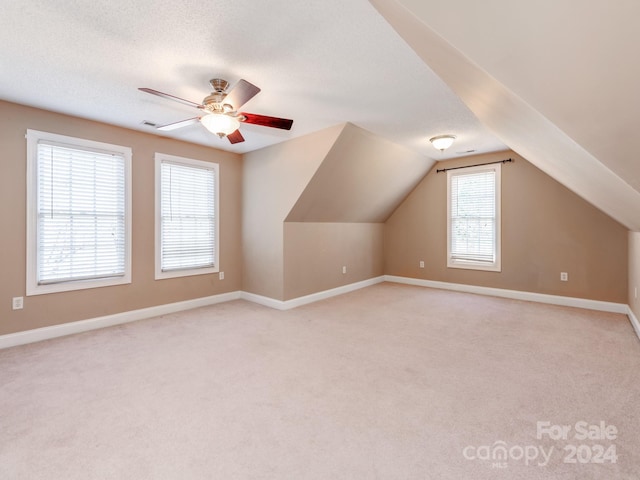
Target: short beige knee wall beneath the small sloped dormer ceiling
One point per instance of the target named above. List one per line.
(314, 254)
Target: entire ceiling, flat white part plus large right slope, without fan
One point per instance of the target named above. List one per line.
(554, 80)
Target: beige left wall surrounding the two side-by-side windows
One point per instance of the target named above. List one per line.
(144, 291)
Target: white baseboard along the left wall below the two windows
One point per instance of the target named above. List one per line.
(53, 331)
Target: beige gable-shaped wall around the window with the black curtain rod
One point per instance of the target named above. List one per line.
(546, 229)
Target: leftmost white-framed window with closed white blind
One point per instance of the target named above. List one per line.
(78, 213)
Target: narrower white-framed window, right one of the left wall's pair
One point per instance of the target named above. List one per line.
(186, 217)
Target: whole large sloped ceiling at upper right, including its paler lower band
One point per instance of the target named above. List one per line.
(556, 81)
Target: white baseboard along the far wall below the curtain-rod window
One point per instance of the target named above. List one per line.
(515, 294)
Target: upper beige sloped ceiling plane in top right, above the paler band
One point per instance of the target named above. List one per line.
(575, 62)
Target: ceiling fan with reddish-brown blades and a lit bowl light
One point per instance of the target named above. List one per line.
(219, 110)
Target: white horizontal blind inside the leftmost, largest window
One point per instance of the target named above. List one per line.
(80, 213)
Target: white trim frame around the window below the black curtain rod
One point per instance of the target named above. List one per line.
(496, 266)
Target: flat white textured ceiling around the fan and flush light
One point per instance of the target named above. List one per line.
(319, 63)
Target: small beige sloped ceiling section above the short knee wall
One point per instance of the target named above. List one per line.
(363, 178)
